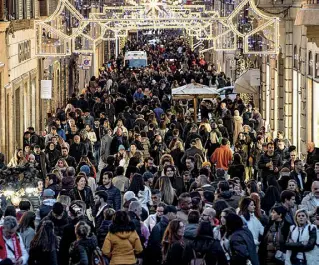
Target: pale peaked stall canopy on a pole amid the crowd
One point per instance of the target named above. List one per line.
(194, 91)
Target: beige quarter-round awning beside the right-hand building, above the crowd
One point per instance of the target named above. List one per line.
(248, 82)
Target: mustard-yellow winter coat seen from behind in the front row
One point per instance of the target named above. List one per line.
(121, 244)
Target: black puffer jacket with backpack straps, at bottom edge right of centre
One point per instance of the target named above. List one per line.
(205, 246)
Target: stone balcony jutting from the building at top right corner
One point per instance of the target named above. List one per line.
(308, 16)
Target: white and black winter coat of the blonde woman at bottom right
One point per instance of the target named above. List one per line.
(296, 244)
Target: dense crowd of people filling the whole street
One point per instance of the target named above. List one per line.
(125, 176)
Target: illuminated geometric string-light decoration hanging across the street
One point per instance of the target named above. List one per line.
(76, 28)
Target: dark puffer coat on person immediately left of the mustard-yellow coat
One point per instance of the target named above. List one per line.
(81, 251)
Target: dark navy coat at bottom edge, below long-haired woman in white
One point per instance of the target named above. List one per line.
(242, 248)
